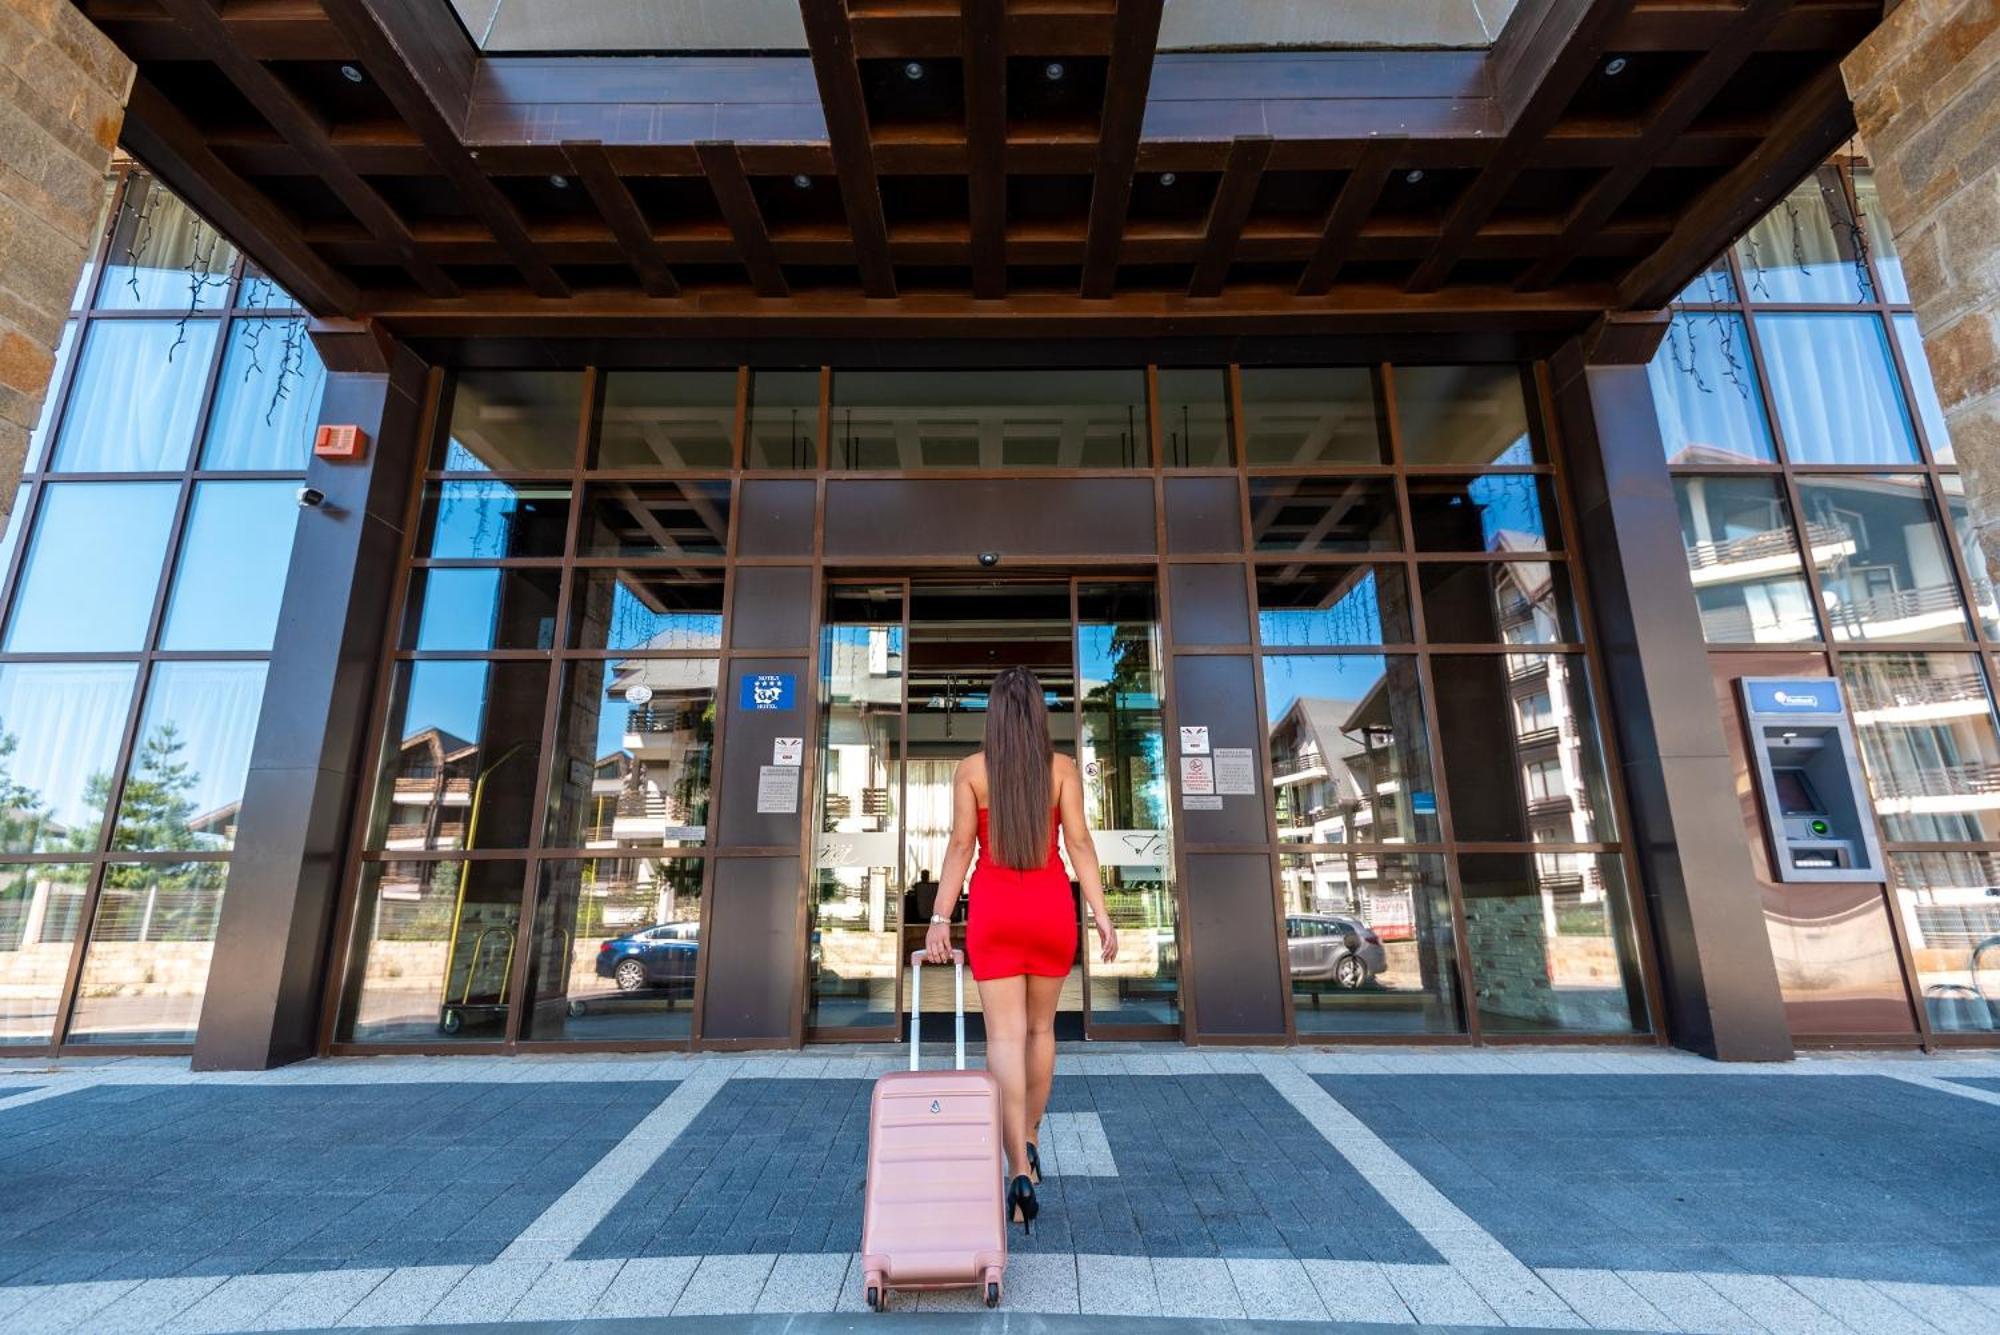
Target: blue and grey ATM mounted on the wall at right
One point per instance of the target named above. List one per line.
(1817, 812)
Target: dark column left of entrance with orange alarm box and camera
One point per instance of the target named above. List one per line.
(307, 766)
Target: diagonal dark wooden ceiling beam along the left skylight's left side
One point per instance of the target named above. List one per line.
(425, 71)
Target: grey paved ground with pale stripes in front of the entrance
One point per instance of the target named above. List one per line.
(1327, 1190)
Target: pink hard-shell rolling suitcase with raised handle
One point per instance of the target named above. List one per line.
(935, 1216)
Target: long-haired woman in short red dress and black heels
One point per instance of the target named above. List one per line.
(1009, 802)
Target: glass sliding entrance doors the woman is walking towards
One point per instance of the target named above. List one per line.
(903, 686)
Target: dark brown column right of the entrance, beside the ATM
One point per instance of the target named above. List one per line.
(1701, 890)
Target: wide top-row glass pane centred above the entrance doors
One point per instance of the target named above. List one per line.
(1041, 419)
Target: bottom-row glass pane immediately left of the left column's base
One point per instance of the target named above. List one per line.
(151, 944)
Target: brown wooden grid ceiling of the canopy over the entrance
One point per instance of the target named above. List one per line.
(1033, 163)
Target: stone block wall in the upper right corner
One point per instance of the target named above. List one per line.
(1927, 99)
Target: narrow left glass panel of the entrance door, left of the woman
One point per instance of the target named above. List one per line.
(859, 866)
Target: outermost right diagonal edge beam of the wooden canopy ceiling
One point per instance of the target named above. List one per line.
(1813, 127)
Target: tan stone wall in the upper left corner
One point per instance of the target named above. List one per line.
(63, 93)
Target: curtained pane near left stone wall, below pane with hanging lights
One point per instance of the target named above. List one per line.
(137, 397)
